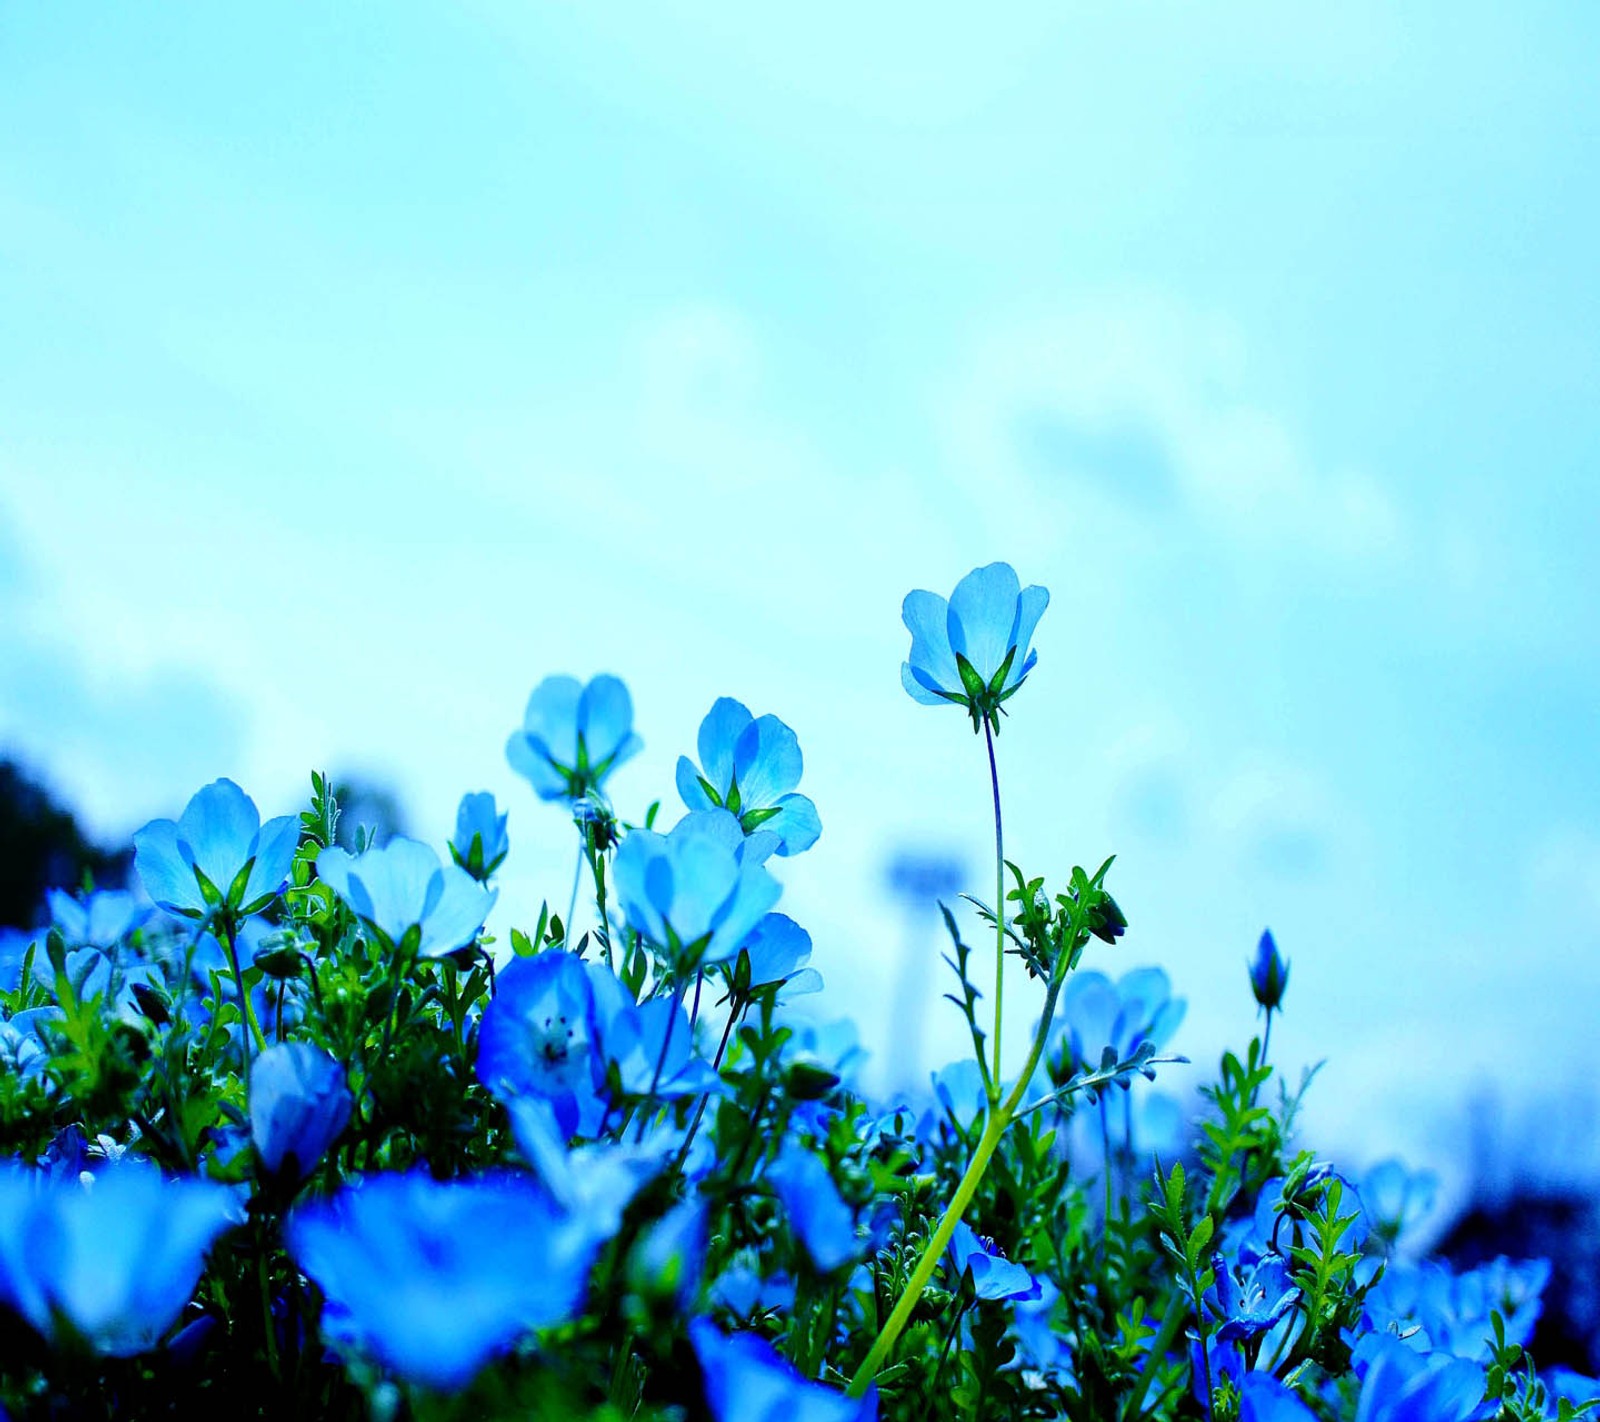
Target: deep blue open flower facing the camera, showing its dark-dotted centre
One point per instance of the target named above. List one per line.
(538, 1039)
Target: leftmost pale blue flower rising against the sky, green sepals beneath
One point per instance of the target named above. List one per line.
(218, 852)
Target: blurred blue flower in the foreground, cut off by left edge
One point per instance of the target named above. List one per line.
(114, 1260)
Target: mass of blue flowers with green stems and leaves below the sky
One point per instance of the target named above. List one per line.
(295, 1132)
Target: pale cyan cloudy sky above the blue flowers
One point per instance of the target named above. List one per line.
(362, 367)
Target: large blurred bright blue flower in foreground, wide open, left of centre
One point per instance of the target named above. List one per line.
(434, 1280)
